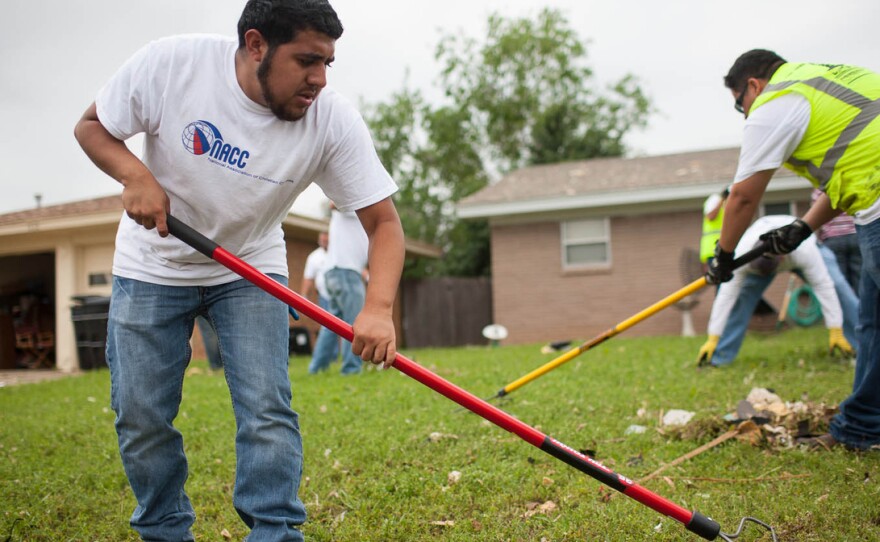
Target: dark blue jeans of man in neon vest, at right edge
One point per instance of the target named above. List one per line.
(858, 423)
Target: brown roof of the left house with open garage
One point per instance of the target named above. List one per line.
(107, 210)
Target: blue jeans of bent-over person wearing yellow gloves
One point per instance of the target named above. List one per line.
(752, 290)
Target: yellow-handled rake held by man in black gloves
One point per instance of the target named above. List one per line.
(622, 326)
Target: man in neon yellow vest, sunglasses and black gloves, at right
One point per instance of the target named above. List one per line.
(823, 122)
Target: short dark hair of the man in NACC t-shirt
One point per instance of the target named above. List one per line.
(279, 21)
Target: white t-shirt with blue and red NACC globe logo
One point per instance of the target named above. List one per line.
(230, 167)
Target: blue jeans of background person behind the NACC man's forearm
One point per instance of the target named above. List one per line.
(347, 295)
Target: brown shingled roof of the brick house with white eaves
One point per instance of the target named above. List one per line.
(680, 180)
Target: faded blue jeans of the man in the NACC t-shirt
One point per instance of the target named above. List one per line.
(148, 351)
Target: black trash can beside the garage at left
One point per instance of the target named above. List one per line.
(89, 317)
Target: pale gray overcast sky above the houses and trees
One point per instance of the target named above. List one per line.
(58, 53)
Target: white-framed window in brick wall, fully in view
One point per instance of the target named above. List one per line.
(586, 243)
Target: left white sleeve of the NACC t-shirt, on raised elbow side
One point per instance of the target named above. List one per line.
(125, 104)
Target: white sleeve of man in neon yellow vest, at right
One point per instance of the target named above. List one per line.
(772, 134)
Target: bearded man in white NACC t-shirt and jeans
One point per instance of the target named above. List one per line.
(234, 132)
